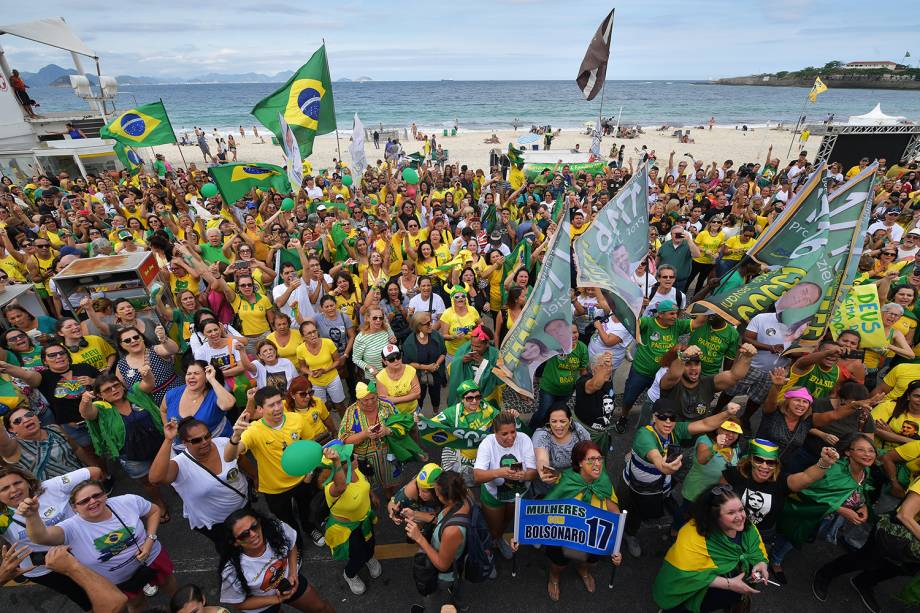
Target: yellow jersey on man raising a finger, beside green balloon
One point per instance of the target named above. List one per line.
(267, 444)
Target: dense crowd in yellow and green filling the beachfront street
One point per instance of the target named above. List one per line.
(371, 312)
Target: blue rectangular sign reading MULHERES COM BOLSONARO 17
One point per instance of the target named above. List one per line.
(568, 523)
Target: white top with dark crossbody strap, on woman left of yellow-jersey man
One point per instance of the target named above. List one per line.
(206, 502)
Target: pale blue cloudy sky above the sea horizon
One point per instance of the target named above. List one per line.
(472, 39)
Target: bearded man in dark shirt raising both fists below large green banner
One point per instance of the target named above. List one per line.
(690, 394)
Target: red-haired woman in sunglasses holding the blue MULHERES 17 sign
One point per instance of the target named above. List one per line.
(587, 481)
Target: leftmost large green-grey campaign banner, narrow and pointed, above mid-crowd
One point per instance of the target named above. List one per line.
(544, 328)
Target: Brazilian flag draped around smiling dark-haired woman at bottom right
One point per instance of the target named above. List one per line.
(694, 560)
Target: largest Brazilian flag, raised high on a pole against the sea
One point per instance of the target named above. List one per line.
(305, 101)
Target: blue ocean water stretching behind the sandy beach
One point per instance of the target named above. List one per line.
(485, 105)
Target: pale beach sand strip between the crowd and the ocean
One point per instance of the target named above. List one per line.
(468, 147)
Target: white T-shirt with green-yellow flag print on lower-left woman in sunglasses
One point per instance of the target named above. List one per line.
(109, 547)
